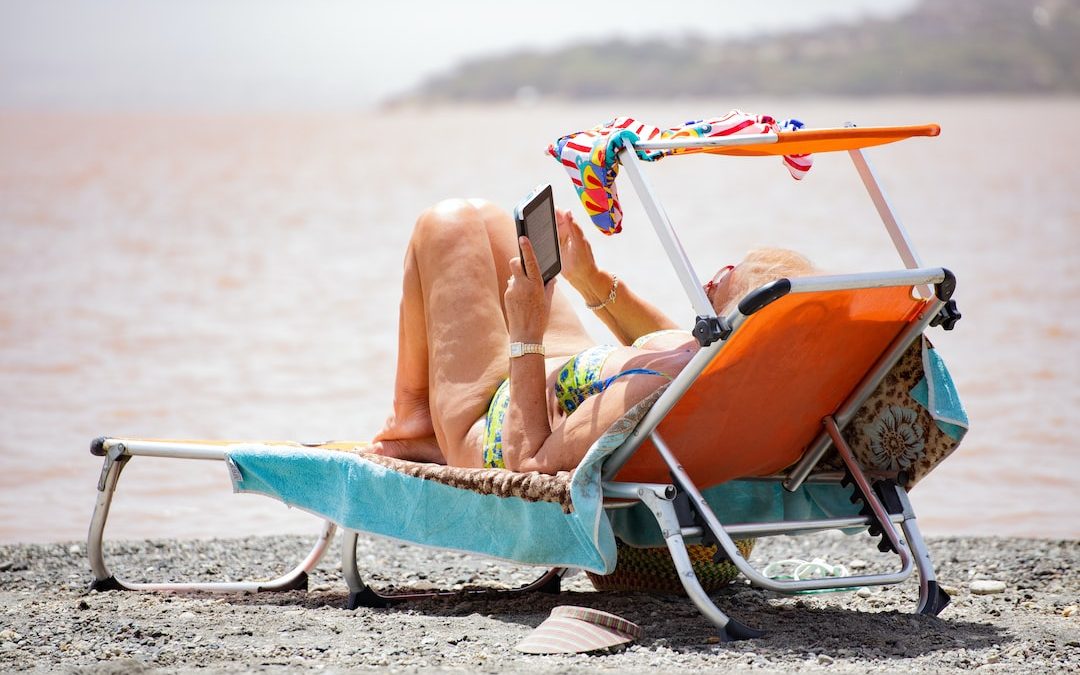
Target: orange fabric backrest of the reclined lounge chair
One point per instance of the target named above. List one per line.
(761, 402)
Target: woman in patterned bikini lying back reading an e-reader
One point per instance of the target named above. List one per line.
(461, 399)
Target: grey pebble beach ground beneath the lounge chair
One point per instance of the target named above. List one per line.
(49, 622)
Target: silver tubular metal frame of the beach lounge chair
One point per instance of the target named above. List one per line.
(890, 509)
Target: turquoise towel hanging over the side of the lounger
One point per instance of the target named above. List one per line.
(364, 496)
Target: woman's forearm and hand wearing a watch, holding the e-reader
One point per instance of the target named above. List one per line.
(529, 303)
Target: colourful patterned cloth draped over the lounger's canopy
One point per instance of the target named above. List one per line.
(592, 157)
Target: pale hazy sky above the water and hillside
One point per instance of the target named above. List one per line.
(322, 55)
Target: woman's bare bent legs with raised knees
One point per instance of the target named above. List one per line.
(453, 334)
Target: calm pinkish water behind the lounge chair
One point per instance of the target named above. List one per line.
(238, 277)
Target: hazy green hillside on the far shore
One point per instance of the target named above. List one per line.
(941, 47)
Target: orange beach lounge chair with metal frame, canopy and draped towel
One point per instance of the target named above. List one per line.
(823, 400)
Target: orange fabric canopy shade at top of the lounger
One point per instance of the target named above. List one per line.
(809, 141)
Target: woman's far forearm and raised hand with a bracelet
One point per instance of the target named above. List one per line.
(627, 315)
